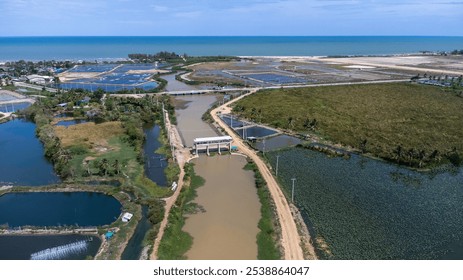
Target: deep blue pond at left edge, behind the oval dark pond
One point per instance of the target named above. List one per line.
(22, 156)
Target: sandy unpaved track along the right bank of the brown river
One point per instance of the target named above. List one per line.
(290, 239)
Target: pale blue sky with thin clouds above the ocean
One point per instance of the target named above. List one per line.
(231, 17)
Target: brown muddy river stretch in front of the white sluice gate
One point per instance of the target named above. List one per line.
(228, 227)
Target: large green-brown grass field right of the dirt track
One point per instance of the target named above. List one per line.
(416, 118)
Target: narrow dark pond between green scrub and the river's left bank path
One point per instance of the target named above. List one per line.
(155, 163)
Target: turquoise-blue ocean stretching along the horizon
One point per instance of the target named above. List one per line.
(110, 48)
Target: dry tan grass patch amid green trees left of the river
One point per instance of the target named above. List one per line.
(89, 134)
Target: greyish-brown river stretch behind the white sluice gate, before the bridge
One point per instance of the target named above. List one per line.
(189, 116)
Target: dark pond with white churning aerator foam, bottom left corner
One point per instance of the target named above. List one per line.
(48, 247)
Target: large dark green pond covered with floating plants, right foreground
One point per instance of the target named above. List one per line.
(361, 208)
